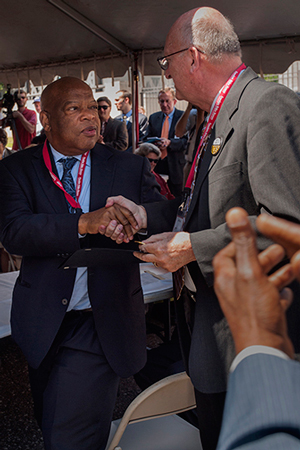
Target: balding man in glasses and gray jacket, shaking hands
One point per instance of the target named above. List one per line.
(250, 158)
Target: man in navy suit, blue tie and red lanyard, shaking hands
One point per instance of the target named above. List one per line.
(80, 329)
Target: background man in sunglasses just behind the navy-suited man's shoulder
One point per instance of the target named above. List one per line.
(112, 132)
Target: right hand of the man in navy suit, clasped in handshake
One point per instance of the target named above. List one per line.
(115, 221)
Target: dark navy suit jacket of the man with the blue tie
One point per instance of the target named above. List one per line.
(35, 223)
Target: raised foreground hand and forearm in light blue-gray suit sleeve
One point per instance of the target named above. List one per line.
(262, 409)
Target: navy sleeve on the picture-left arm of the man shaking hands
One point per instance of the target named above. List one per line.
(26, 233)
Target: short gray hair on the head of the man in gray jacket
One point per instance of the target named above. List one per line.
(215, 36)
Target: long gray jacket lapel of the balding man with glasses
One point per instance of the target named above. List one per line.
(222, 130)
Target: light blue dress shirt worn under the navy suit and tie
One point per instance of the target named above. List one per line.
(80, 298)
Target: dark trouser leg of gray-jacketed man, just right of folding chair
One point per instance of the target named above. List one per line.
(210, 412)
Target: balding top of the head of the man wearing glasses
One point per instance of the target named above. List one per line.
(209, 31)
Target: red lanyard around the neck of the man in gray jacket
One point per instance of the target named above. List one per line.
(213, 116)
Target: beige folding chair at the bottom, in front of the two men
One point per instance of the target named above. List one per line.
(166, 431)
